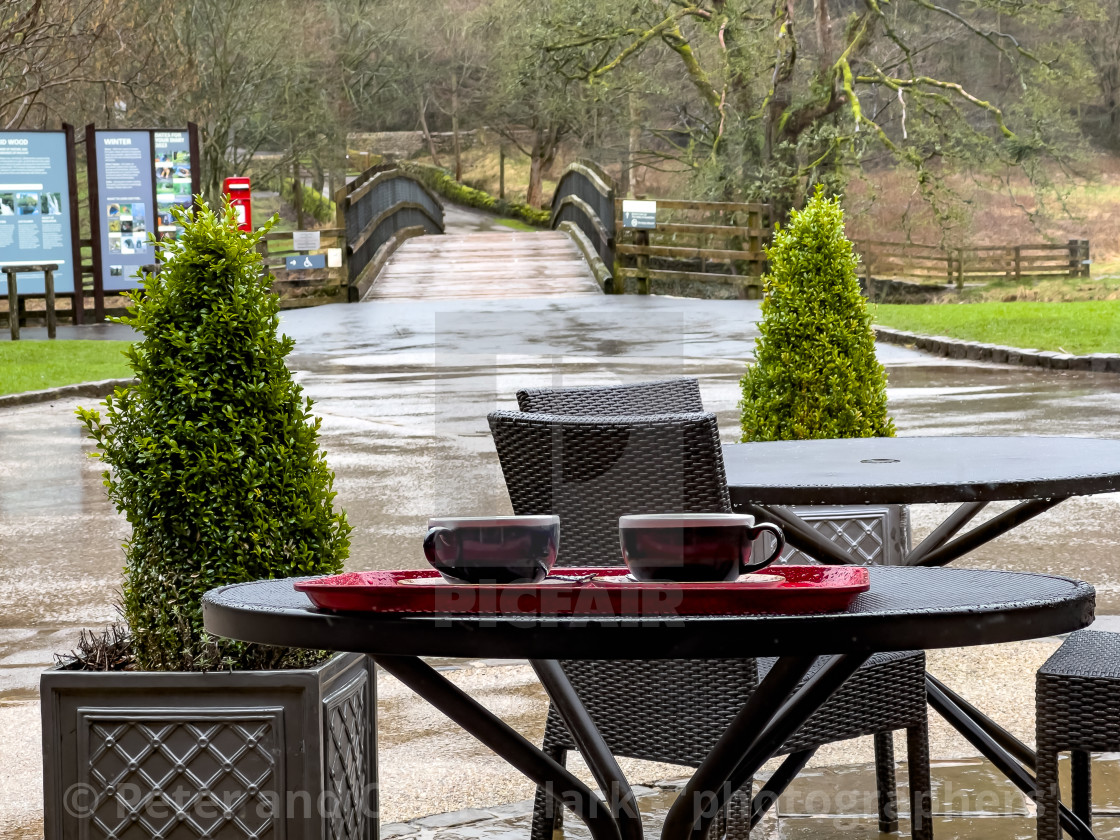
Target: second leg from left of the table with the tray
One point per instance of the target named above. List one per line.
(621, 799)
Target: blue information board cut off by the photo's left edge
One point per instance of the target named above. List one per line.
(36, 226)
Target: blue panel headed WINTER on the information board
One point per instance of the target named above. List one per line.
(125, 206)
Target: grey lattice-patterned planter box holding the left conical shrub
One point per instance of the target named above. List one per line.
(288, 755)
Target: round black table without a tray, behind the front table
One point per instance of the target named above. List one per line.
(1039, 472)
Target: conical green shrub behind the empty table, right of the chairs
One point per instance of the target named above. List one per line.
(816, 375)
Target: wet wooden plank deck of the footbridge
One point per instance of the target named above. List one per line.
(479, 266)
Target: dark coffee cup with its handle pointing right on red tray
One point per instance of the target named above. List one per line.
(694, 547)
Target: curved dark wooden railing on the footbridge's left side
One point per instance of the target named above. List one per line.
(379, 210)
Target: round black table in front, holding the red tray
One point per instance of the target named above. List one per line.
(906, 609)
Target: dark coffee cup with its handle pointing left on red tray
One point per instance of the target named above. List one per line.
(492, 549)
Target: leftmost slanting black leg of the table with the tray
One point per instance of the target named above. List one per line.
(509, 744)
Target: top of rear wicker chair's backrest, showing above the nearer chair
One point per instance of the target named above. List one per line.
(664, 397)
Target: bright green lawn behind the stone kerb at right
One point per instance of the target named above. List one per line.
(1079, 328)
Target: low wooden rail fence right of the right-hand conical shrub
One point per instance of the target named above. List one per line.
(990, 263)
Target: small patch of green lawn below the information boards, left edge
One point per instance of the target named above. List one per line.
(35, 366)
